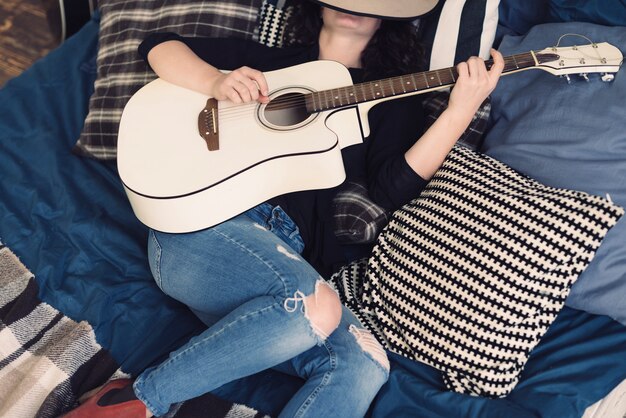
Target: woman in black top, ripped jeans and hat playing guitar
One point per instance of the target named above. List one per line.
(255, 279)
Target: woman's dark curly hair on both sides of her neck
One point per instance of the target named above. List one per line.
(393, 50)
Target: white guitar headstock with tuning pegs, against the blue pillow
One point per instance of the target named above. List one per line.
(582, 59)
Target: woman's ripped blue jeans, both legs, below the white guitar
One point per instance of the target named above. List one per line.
(246, 280)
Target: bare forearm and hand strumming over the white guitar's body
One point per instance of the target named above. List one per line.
(175, 62)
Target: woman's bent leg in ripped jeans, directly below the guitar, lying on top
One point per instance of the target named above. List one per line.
(273, 306)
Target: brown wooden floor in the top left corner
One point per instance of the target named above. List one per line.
(25, 36)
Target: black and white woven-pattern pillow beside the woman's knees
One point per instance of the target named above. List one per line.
(469, 276)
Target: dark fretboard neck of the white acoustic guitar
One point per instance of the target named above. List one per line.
(409, 84)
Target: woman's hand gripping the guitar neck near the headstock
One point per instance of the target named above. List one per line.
(475, 83)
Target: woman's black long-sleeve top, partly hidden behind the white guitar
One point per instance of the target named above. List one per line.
(378, 162)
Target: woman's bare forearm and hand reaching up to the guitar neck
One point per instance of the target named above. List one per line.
(473, 86)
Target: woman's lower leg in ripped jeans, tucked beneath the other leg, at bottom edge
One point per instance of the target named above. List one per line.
(342, 376)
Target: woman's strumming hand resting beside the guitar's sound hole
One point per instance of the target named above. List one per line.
(242, 85)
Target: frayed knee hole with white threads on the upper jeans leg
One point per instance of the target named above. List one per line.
(322, 308)
